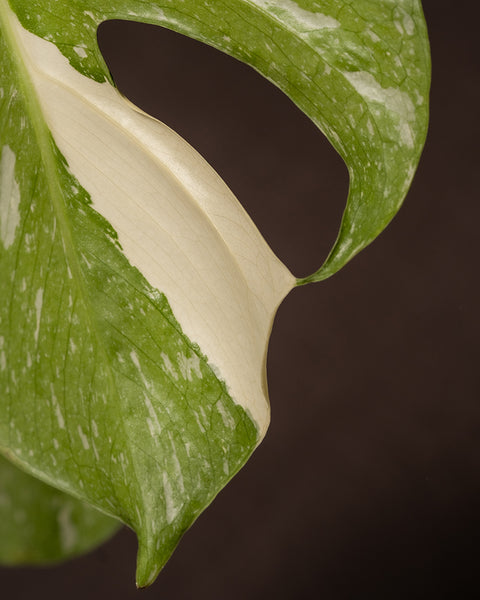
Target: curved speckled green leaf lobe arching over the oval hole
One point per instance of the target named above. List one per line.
(360, 70)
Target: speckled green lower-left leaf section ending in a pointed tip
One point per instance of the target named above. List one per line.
(102, 395)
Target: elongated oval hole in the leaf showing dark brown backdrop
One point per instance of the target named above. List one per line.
(281, 168)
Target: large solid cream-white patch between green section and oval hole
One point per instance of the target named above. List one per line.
(176, 220)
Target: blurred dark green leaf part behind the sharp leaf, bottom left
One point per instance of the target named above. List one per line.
(39, 524)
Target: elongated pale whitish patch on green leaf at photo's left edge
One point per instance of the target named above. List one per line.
(9, 197)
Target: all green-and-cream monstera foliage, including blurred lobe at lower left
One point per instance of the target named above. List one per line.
(137, 297)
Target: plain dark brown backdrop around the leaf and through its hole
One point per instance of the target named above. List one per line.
(367, 483)
